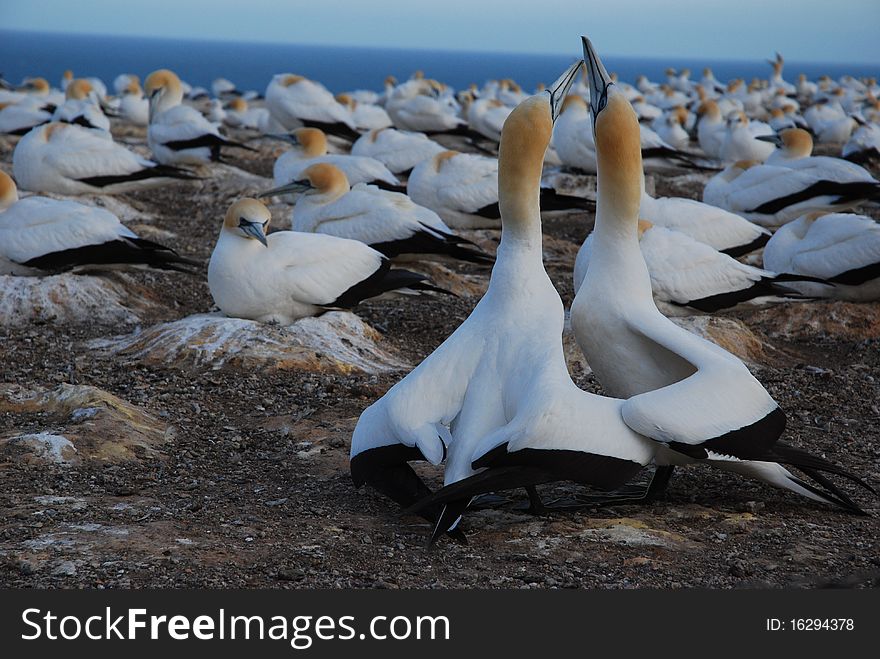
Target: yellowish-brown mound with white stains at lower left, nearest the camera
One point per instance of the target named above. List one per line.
(89, 424)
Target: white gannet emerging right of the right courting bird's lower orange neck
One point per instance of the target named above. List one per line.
(725, 231)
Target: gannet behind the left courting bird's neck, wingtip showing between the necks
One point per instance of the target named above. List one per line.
(462, 188)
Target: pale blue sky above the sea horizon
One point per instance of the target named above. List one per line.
(803, 30)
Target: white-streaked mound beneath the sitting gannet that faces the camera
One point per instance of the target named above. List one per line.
(337, 341)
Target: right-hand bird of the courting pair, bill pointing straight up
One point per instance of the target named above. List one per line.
(698, 402)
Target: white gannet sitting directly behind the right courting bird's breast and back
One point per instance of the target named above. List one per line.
(688, 276)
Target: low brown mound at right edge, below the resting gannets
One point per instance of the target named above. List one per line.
(833, 319)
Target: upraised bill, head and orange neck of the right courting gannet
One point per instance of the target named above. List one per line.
(617, 138)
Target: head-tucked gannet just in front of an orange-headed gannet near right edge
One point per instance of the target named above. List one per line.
(771, 195)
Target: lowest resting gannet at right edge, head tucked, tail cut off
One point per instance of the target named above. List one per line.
(841, 248)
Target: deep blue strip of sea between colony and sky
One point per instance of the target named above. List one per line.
(251, 65)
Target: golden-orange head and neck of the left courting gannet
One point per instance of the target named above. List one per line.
(524, 139)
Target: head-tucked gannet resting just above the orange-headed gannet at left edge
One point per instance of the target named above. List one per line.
(70, 159)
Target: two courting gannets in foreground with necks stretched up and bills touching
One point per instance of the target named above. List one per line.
(502, 412)
